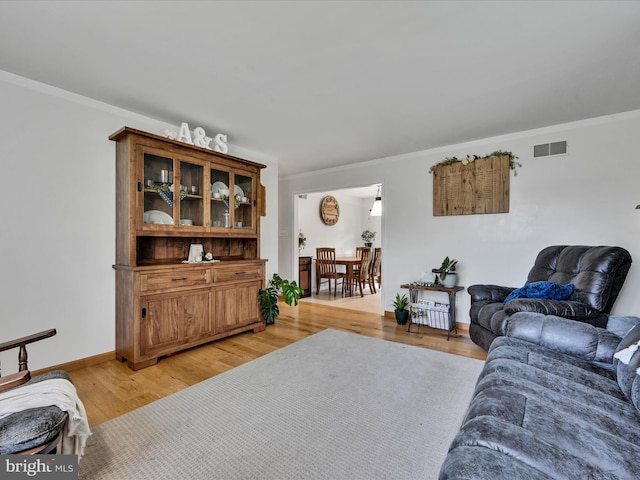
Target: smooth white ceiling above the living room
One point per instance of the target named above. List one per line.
(320, 84)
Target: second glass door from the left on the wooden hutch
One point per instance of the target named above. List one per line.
(191, 192)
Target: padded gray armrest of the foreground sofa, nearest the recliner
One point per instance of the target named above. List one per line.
(577, 339)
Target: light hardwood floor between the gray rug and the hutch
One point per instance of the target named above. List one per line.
(110, 388)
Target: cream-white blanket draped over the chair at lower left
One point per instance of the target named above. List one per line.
(58, 392)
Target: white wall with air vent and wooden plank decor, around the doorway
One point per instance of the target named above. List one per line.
(587, 197)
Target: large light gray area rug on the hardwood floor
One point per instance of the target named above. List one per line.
(335, 405)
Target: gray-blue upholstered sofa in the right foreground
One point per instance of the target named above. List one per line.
(554, 403)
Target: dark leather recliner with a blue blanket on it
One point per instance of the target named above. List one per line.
(596, 274)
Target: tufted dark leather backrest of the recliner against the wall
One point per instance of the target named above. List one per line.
(597, 273)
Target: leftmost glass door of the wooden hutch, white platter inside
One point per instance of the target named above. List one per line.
(157, 190)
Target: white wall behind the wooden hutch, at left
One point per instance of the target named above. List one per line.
(57, 218)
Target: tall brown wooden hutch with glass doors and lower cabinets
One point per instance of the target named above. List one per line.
(170, 195)
